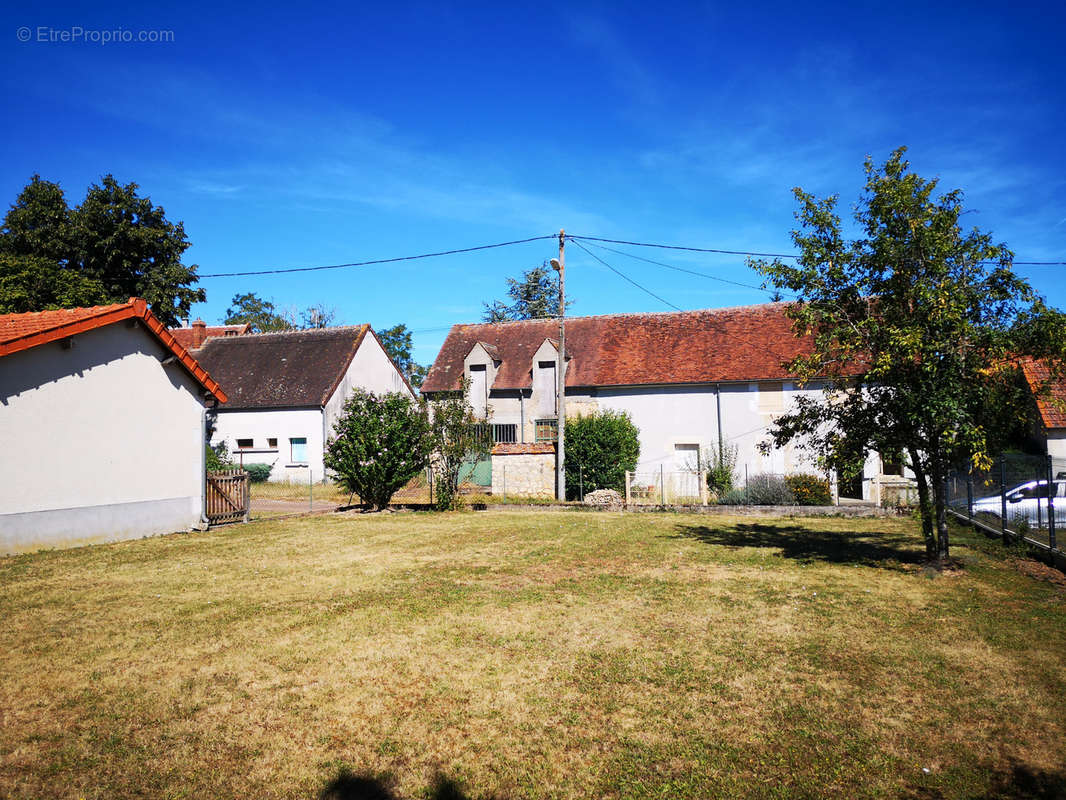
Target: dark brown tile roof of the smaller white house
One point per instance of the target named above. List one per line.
(280, 371)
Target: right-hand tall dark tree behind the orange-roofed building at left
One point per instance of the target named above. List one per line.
(127, 244)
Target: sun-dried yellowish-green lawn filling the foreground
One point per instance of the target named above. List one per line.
(531, 655)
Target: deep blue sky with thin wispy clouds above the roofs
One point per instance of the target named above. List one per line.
(335, 134)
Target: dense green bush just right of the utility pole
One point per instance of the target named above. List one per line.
(601, 449)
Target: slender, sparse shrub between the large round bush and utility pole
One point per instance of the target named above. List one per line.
(456, 442)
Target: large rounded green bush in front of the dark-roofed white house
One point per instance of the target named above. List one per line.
(380, 443)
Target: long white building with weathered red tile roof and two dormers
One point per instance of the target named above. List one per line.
(689, 380)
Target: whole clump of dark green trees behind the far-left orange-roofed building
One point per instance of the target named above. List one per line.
(114, 247)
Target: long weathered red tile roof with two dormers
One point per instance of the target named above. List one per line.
(745, 344)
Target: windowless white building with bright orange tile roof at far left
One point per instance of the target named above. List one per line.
(103, 420)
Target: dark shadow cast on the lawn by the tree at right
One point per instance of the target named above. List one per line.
(811, 545)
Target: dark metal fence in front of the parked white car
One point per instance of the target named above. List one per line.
(1022, 498)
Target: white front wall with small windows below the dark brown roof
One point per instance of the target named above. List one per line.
(282, 425)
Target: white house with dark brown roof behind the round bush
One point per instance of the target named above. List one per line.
(287, 390)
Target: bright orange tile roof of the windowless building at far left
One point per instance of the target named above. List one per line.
(25, 331)
